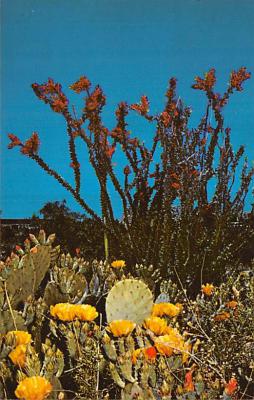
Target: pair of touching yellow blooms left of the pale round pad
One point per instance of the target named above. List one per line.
(69, 312)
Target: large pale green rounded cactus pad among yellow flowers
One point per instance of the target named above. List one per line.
(129, 299)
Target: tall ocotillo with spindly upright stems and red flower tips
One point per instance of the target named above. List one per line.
(171, 215)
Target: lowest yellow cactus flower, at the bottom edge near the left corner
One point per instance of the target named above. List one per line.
(33, 388)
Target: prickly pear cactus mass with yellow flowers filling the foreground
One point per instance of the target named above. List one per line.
(70, 329)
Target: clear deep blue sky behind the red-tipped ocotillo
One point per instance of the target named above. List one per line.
(129, 47)
